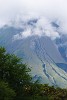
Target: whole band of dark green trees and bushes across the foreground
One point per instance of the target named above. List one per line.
(15, 82)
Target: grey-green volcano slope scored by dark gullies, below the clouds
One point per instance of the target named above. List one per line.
(39, 52)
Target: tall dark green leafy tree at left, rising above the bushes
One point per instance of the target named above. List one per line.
(13, 73)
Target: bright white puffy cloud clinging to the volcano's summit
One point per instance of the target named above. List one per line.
(39, 27)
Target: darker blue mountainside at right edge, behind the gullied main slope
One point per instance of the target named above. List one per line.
(61, 44)
